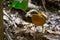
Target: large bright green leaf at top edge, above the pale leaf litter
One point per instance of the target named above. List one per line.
(20, 5)
